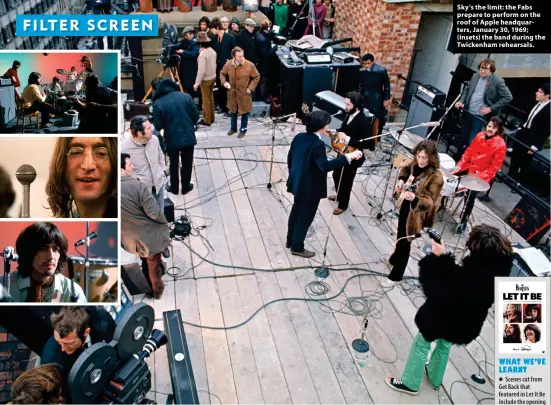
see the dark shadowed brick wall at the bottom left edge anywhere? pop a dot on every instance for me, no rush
(14, 358)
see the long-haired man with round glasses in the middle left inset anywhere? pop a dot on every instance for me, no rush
(83, 178)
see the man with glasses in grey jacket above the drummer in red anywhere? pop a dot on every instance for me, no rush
(483, 98)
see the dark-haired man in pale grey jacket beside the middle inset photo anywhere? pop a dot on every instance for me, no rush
(147, 157)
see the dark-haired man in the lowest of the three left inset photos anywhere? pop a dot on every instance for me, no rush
(42, 249)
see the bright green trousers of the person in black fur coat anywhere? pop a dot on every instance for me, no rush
(415, 367)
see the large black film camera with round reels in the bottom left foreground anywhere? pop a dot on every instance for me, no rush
(116, 372)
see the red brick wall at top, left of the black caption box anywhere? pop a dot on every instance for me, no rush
(387, 30)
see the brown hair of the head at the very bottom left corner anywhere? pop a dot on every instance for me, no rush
(40, 385)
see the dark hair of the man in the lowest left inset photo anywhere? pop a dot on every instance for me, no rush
(36, 237)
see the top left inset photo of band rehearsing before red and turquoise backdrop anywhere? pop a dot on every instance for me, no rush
(59, 92)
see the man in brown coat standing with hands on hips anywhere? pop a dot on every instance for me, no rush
(240, 77)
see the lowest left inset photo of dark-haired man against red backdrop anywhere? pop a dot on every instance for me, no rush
(59, 262)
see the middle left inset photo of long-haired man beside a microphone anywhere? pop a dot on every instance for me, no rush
(59, 177)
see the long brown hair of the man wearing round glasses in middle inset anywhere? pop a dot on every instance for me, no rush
(57, 188)
